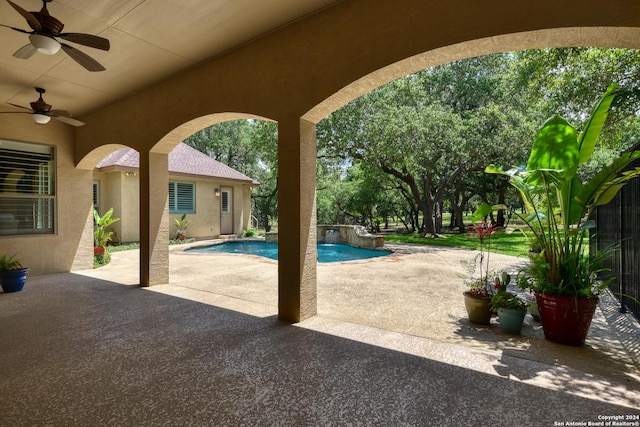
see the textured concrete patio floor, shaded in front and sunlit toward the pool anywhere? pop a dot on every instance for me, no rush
(390, 345)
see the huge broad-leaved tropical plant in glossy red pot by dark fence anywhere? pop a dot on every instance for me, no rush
(558, 213)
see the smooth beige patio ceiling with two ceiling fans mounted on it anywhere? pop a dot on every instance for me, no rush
(150, 41)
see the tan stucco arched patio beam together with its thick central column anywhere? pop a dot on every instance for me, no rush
(298, 74)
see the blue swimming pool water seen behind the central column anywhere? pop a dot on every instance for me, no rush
(327, 252)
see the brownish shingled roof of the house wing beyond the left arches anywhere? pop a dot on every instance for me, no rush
(183, 160)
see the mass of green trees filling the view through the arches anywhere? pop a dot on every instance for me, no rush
(418, 146)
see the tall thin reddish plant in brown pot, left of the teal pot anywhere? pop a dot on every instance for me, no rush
(477, 299)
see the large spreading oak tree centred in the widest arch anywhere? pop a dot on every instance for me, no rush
(431, 129)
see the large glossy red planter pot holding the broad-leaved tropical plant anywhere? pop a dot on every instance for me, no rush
(566, 320)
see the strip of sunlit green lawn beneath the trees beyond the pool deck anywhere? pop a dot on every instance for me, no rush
(515, 244)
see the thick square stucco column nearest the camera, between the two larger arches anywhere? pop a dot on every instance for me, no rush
(297, 253)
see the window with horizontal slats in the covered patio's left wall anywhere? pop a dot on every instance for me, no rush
(27, 188)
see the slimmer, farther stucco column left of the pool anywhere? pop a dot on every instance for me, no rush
(154, 218)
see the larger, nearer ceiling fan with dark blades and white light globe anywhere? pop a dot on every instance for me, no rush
(46, 29)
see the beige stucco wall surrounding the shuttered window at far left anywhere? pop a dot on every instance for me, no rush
(59, 252)
